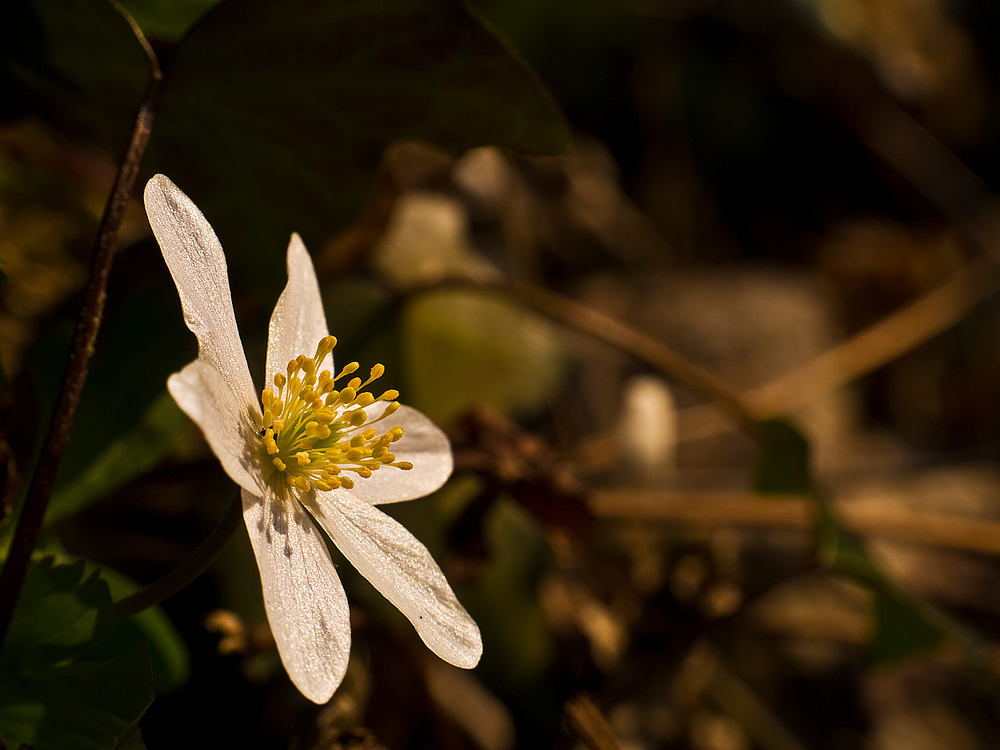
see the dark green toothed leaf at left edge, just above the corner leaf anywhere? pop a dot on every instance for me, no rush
(61, 612)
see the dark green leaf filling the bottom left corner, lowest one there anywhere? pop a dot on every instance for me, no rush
(78, 706)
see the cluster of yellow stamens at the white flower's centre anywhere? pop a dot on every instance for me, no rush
(313, 433)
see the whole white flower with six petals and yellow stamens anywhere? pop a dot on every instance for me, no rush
(295, 455)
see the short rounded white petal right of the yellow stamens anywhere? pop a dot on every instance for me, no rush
(423, 444)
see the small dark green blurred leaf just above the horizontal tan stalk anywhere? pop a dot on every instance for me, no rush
(782, 459)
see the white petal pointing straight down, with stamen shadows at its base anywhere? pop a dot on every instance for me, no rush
(305, 601)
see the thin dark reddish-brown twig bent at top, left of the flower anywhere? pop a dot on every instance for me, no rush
(29, 523)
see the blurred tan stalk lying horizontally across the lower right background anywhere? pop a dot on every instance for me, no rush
(797, 512)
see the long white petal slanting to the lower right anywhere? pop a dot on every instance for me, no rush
(402, 569)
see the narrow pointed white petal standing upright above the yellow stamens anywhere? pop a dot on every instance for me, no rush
(298, 321)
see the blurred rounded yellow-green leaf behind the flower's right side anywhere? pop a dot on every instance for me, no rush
(463, 349)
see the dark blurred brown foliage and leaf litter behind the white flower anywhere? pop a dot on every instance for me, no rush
(759, 186)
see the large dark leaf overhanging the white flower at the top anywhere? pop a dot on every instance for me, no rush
(276, 114)
